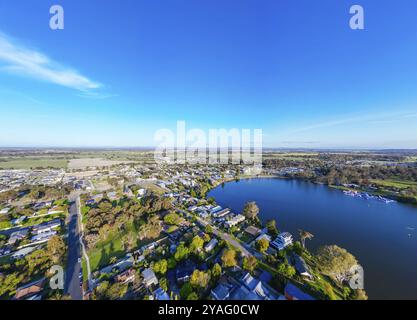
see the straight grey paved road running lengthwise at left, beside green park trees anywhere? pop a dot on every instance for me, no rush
(72, 281)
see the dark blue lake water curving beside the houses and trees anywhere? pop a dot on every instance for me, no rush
(383, 237)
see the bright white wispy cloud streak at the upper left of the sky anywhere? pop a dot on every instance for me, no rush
(18, 59)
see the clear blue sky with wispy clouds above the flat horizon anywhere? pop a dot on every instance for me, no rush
(120, 70)
